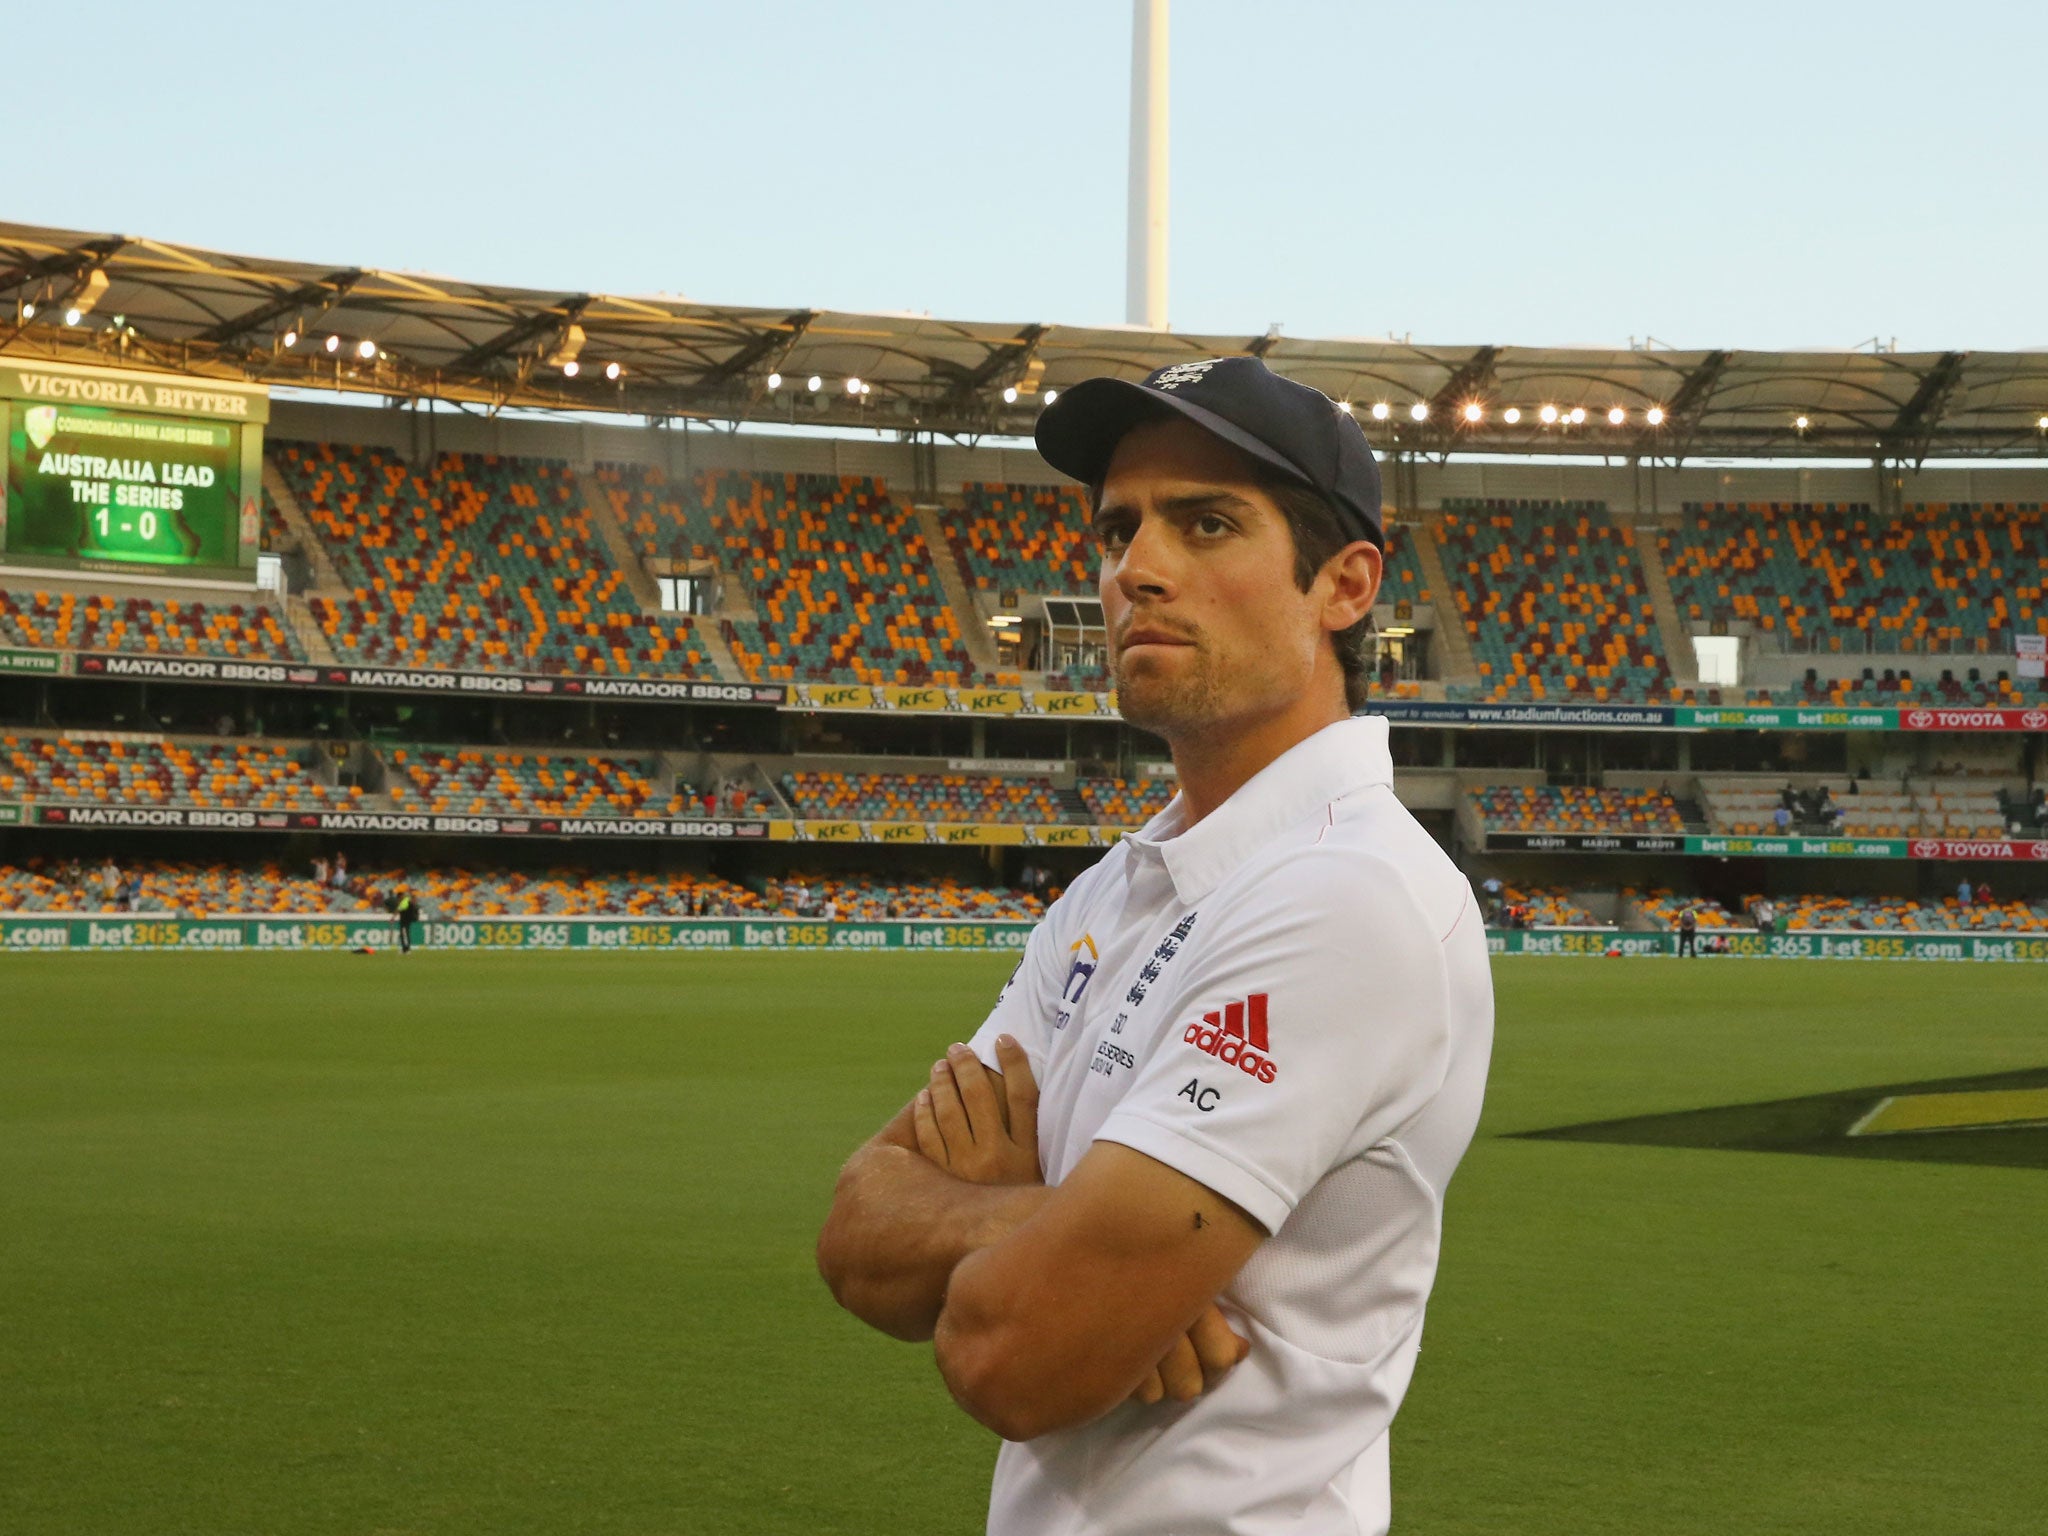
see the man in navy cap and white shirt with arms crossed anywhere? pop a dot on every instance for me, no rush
(1172, 1218)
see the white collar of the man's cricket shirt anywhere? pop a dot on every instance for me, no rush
(1322, 769)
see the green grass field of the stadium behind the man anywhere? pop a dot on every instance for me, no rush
(523, 1244)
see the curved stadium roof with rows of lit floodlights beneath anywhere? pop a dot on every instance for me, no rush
(159, 306)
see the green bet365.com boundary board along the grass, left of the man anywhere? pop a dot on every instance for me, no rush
(374, 933)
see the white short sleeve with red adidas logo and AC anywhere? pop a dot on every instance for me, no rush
(1312, 1023)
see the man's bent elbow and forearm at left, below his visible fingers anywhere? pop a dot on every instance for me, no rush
(898, 1230)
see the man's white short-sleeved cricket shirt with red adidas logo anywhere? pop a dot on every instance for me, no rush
(1291, 1005)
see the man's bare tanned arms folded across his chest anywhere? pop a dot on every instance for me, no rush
(1048, 1308)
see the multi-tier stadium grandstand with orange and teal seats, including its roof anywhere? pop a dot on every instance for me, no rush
(538, 599)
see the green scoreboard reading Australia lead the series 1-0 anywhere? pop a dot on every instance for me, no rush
(126, 472)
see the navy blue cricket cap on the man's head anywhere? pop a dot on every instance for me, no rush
(1285, 425)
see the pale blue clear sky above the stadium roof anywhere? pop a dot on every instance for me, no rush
(1715, 175)
